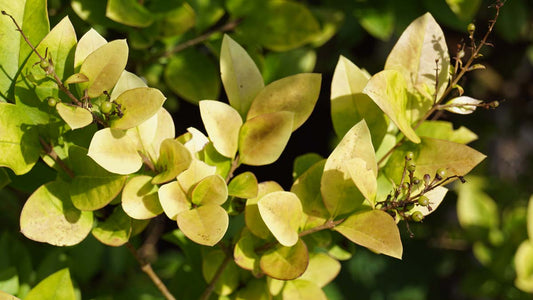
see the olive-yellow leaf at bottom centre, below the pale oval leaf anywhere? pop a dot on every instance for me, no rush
(285, 263)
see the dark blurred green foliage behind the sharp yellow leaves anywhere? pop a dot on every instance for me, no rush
(465, 251)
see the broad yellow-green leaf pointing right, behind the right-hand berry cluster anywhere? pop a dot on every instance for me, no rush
(431, 155)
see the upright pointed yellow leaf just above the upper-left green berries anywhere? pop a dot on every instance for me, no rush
(104, 66)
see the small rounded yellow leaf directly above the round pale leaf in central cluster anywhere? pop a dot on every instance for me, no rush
(210, 190)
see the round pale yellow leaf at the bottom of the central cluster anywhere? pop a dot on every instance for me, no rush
(205, 225)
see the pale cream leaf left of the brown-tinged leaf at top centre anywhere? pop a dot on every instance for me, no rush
(222, 123)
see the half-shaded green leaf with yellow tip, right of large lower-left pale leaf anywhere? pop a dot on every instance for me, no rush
(115, 230)
